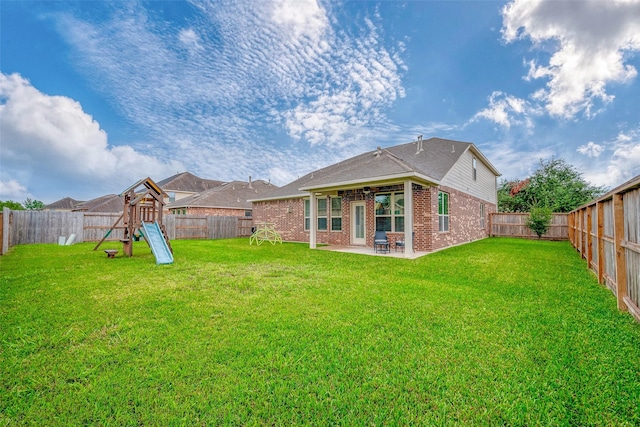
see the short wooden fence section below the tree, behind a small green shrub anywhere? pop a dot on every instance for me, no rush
(515, 225)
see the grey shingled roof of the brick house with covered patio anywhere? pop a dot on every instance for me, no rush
(423, 161)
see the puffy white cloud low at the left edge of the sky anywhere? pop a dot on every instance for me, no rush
(51, 140)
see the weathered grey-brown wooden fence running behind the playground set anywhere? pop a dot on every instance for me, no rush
(25, 227)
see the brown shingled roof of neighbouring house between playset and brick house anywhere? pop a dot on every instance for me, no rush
(230, 195)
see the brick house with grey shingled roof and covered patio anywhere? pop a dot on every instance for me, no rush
(435, 193)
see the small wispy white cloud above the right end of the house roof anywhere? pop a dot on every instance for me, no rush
(507, 110)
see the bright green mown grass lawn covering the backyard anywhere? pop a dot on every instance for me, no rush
(497, 332)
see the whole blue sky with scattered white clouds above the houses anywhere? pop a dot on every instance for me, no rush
(96, 95)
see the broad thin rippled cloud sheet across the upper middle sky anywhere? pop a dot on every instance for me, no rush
(285, 60)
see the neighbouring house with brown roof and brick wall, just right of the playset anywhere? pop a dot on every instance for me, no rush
(229, 199)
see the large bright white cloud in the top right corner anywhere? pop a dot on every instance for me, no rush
(590, 43)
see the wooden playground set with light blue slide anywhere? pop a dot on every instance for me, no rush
(142, 218)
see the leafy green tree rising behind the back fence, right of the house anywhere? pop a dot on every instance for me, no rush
(555, 184)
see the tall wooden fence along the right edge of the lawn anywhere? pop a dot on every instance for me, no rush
(606, 232)
